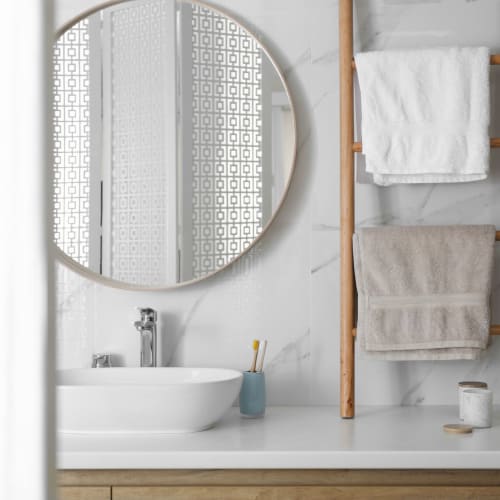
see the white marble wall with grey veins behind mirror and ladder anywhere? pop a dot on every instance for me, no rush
(287, 289)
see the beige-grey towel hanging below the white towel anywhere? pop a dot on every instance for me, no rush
(423, 292)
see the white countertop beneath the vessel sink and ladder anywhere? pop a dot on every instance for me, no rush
(298, 438)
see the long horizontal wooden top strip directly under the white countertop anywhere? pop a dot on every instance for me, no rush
(278, 477)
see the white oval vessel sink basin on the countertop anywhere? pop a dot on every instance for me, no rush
(144, 399)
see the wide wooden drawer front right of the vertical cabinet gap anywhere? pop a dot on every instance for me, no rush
(302, 492)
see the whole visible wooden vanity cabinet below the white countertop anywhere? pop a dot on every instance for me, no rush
(277, 484)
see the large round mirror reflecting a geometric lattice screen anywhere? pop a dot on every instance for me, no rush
(174, 142)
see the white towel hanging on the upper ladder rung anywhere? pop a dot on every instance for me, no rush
(425, 114)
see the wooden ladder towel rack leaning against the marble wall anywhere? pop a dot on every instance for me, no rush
(348, 147)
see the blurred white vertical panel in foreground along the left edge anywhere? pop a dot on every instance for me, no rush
(26, 419)
